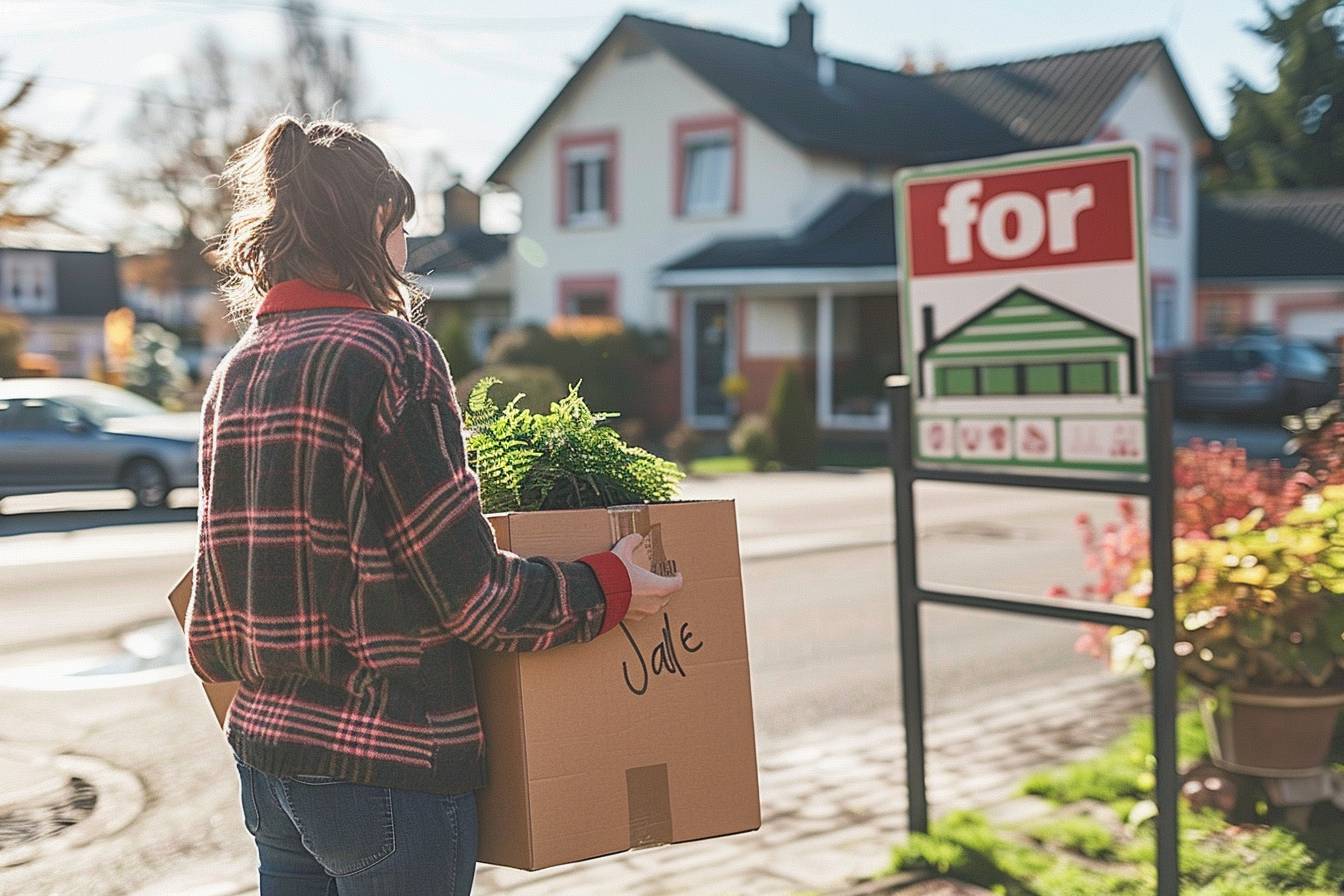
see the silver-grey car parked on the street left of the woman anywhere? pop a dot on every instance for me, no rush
(69, 436)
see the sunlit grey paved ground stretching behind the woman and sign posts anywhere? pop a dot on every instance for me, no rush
(822, 628)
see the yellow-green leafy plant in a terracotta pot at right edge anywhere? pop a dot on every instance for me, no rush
(1261, 633)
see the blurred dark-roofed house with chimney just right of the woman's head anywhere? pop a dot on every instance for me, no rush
(464, 271)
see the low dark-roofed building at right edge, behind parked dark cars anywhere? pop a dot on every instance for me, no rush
(1272, 260)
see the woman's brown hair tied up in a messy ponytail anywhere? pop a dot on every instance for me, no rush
(307, 201)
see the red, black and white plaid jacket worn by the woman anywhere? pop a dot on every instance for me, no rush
(345, 566)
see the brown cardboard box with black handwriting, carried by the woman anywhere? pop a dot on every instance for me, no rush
(640, 738)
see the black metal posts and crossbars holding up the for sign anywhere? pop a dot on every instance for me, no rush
(1158, 620)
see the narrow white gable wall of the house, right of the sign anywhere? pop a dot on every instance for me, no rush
(1155, 112)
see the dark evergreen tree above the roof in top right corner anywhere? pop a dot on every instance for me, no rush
(1292, 135)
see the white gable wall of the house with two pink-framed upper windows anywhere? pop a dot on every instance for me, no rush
(642, 99)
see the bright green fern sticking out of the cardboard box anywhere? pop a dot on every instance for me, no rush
(562, 460)
